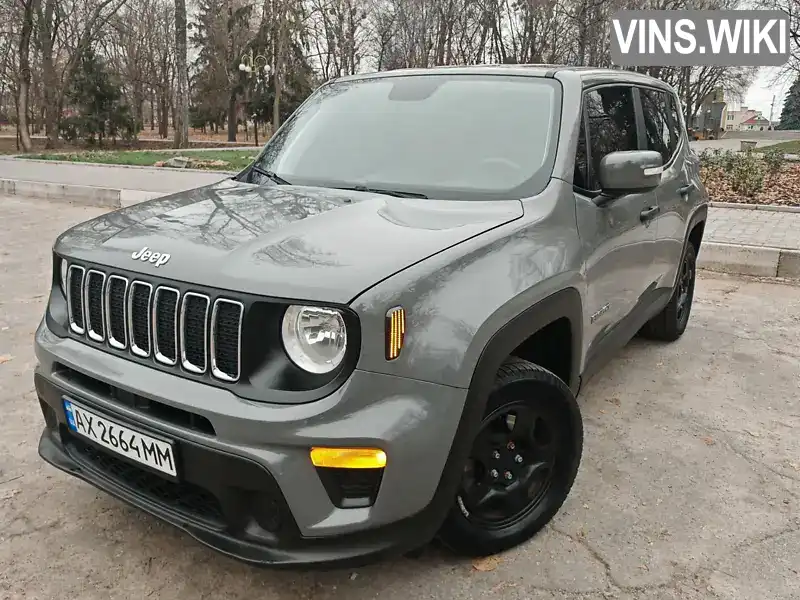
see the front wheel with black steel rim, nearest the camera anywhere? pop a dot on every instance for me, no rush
(531, 394)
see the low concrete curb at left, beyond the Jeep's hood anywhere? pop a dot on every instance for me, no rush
(85, 195)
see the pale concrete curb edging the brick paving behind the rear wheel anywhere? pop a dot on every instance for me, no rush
(761, 261)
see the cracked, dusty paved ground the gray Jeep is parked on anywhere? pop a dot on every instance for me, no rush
(689, 488)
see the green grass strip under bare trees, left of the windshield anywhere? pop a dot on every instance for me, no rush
(235, 160)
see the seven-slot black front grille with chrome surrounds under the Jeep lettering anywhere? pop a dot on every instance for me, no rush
(157, 322)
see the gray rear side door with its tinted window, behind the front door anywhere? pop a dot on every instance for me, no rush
(664, 133)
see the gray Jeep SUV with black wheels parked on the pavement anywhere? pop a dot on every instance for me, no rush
(374, 335)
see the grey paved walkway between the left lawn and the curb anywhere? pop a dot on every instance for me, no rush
(149, 180)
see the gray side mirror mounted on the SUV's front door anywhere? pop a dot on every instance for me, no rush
(629, 172)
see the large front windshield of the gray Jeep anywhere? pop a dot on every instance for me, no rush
(444, 136)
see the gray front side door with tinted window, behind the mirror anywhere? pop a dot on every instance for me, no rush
(618, 237)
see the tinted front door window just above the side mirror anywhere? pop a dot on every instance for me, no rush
(612, 125)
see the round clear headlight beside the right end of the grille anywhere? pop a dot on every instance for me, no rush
(315, 337)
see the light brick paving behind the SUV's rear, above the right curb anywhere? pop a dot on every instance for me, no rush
(753, 227)
